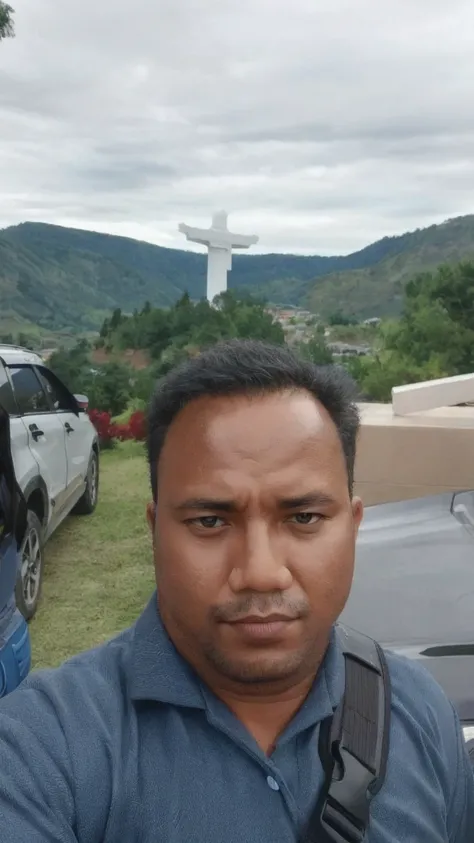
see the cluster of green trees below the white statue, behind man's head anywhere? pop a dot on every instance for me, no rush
(168, 336)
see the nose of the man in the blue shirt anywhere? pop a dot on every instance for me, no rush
(261, 565)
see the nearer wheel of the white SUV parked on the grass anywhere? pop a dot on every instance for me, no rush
(30, 578)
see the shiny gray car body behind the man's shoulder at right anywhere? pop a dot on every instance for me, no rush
(413, 588)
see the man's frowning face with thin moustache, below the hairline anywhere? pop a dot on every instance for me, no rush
(254, 535)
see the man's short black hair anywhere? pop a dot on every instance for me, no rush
(239, 367)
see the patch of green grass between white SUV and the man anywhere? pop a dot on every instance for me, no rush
(99, 568)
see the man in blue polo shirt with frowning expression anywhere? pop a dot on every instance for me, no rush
(201, 723)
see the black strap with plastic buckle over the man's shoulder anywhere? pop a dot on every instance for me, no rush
(353, 745)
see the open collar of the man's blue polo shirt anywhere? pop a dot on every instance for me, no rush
(158, 672)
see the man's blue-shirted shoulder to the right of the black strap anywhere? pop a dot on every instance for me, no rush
(428, 774)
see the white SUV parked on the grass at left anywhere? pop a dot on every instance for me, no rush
(55, 453)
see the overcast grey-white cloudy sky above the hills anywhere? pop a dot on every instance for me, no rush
(321, 125)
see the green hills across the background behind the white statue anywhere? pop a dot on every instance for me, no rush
(60, 277)
